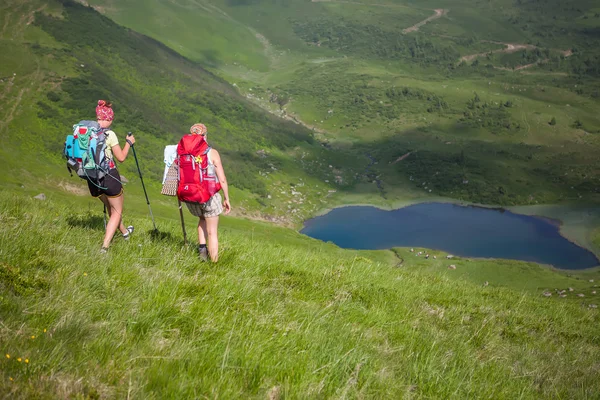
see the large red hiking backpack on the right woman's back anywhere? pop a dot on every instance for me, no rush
(198, 181)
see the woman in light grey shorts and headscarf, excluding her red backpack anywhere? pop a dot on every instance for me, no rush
(208, 213)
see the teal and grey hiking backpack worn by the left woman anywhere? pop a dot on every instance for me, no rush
(85, 152)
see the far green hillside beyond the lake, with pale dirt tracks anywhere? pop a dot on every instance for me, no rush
(499, 94)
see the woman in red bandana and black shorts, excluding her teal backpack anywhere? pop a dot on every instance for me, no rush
(110, 189)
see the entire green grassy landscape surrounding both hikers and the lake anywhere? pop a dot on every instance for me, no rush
(282, 315)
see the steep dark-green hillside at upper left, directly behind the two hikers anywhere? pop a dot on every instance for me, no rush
(57, 67)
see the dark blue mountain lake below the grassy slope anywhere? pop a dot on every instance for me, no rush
(459, 230)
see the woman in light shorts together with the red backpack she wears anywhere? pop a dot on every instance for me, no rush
(201, 177)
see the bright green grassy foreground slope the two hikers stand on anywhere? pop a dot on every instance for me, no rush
(279, 315)
